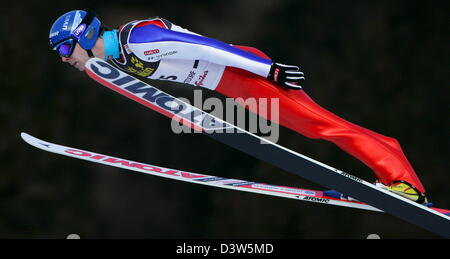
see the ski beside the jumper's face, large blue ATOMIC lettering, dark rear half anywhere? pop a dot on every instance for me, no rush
(267, 151)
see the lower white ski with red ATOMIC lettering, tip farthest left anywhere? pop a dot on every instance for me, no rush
(323, 197)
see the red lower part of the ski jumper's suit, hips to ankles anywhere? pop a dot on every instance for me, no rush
(300, 113)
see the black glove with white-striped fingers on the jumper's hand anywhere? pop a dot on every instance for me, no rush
(286, 75)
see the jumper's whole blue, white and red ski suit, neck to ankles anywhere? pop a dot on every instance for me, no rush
(158, 49)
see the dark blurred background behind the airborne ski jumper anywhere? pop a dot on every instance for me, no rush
(383, 65)
